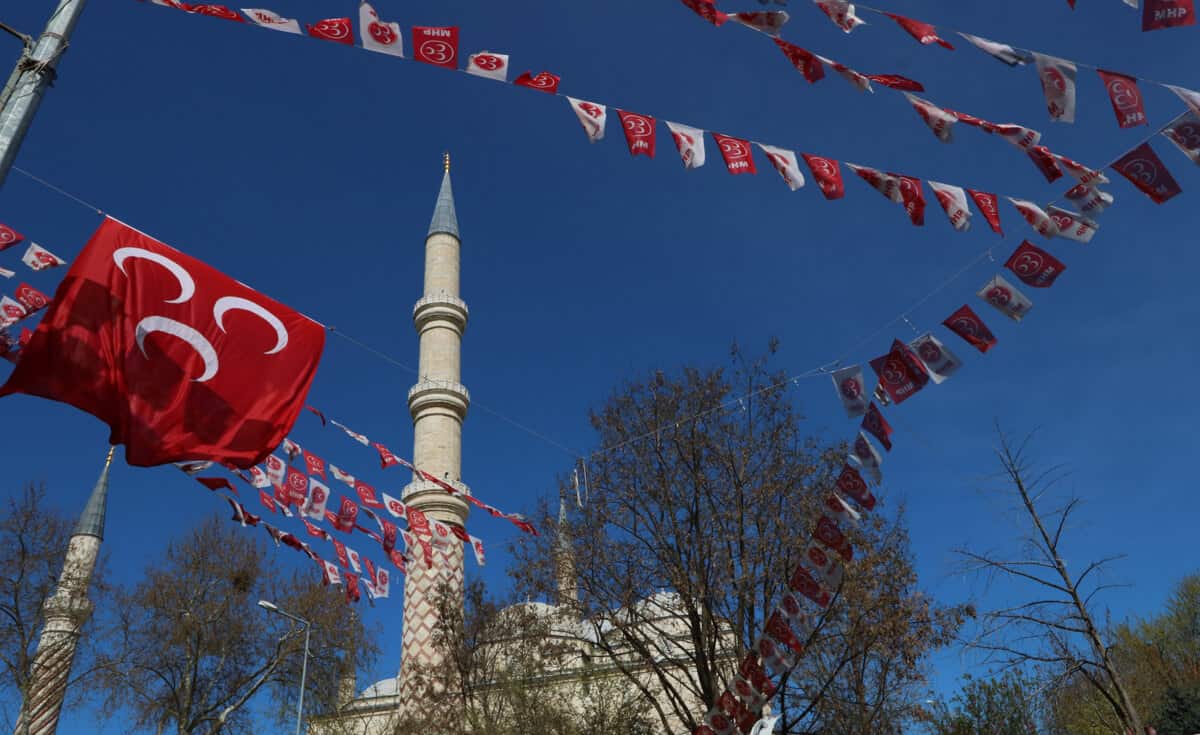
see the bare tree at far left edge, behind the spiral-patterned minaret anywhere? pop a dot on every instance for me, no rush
(33, 546)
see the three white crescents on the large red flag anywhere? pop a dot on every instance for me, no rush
(200, 344)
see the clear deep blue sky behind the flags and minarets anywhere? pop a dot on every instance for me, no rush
(310, 172)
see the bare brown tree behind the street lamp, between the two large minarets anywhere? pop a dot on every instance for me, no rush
(190, 649)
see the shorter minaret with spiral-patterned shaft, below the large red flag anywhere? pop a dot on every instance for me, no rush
(65, 612)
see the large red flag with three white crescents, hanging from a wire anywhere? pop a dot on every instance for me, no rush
(179, 360)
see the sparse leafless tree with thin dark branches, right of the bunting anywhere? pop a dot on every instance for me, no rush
(1057, 630)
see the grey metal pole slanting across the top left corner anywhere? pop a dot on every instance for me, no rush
(34, 74)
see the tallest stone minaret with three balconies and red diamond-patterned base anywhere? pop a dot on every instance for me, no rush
(439, 404)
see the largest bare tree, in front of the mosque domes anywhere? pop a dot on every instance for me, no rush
(704, 495)
